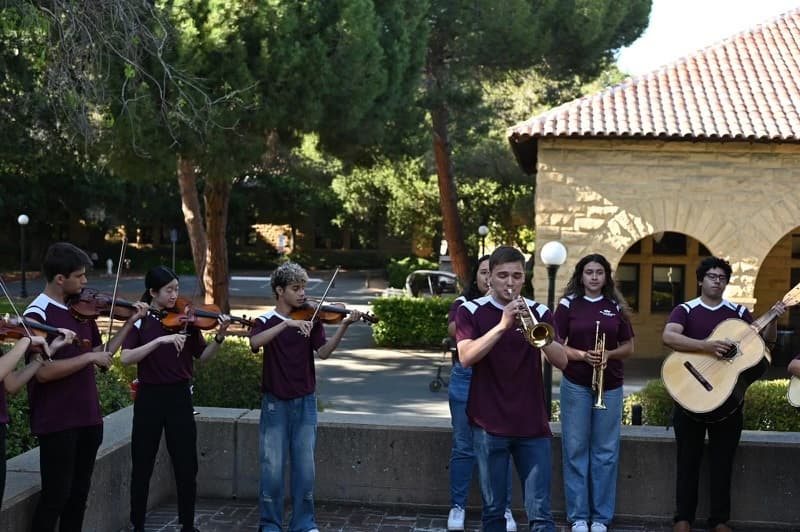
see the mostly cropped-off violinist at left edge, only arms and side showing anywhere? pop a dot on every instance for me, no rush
(12, 381)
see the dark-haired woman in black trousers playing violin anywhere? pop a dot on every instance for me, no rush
(163, 401)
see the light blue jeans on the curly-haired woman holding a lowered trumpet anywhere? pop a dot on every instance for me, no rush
(590, 452)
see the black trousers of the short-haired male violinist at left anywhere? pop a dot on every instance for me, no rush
(66, 460)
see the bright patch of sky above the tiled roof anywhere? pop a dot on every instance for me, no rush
(680, 27)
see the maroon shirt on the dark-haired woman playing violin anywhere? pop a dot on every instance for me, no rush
(164, 365)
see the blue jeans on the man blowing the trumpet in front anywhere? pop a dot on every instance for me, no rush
(532, 459)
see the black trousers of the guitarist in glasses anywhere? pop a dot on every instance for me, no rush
(723, 439)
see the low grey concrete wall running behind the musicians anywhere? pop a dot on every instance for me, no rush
(405, 460)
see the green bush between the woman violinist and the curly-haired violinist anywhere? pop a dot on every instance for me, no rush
(232, 379)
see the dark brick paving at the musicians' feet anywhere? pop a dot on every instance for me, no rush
(213, 515)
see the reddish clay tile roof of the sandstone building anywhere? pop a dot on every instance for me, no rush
(746, 87)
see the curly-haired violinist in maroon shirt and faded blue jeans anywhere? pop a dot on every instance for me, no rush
(288, 424)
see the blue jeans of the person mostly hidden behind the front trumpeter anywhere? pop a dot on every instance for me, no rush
(462, 457)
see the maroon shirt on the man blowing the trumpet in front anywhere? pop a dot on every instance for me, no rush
(506, 395)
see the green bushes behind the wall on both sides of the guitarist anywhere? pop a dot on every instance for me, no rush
(765, 406)
